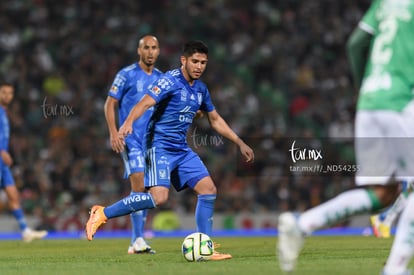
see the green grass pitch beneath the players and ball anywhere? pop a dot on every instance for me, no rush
(251, 255)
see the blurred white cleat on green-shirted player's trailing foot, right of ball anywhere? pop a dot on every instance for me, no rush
(290, 241)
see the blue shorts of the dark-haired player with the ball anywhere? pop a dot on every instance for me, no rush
(182, 168)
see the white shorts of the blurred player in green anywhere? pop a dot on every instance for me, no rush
(384, 145)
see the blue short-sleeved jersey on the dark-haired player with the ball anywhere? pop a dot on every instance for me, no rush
(177, 104)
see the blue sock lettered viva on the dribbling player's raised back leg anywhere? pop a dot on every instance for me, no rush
(132, 203)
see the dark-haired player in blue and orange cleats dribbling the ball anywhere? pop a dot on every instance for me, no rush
(176, 97)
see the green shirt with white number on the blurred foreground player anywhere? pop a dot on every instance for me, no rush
(388, 80)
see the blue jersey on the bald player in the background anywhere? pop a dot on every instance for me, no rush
(128, 88)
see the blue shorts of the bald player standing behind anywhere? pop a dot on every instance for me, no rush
(133, 157)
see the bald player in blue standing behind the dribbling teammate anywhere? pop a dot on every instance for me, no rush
(127, 89)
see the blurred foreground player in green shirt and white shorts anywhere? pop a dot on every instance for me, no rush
(381, 54)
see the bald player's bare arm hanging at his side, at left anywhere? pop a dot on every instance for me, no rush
(109, 108)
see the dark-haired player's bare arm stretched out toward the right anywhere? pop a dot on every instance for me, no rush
(221, 126)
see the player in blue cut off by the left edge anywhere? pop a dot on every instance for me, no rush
(6, 178)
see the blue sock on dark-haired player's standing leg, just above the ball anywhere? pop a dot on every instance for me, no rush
(204, 213)
